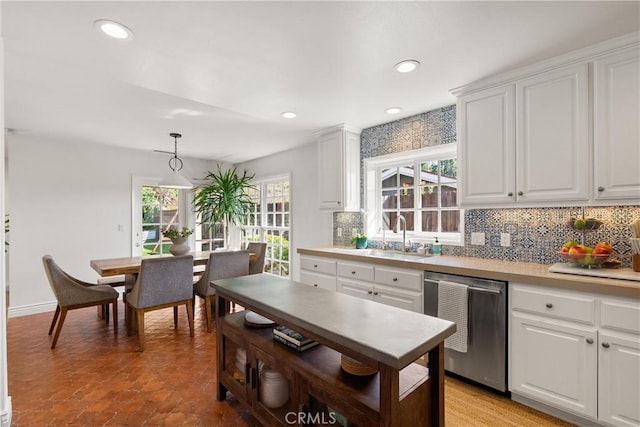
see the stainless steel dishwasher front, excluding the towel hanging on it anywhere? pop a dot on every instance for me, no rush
(485, 359)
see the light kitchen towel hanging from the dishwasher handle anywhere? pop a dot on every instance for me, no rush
(453, 306)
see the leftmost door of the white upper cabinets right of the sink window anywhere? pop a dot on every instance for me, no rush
(486, 147)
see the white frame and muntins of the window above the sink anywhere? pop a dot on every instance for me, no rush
(373, 194)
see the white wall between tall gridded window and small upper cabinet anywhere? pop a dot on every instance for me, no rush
(310, 227)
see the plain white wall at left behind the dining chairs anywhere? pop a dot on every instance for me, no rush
(68, 199)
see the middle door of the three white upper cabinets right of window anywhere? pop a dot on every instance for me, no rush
(552, 136)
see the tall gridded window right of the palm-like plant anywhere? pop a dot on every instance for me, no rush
(270, 221)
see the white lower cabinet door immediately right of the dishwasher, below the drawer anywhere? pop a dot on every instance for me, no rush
(555, 364)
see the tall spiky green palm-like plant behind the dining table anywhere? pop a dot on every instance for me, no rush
(224, 199)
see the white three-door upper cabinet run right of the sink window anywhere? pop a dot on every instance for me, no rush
(562, 132)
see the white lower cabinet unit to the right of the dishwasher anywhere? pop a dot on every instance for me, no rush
(577, 352)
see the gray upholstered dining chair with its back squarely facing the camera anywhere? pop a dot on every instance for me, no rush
(162, 282)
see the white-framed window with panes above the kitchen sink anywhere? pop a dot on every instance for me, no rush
(420, 185)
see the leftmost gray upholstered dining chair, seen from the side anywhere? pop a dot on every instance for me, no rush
(72, 293)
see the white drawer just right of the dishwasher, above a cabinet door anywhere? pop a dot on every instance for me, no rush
(560, 305)
